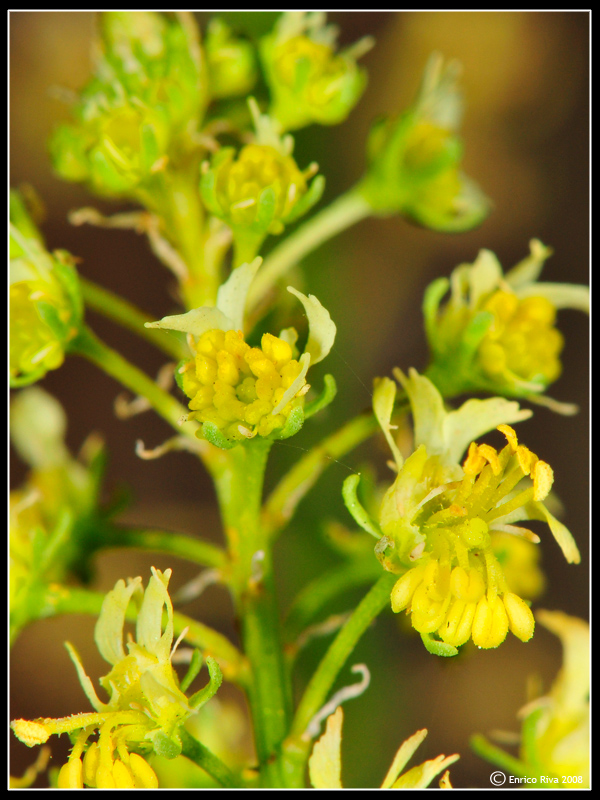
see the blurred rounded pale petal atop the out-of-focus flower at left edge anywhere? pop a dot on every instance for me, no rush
(38, 425)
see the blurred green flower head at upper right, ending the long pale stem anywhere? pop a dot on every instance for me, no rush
(415, 159)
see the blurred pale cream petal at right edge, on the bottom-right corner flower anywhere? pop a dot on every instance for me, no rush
(571, 688)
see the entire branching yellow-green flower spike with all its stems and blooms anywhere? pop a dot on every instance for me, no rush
(184, 129)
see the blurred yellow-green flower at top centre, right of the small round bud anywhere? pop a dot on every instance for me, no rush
(308, 81)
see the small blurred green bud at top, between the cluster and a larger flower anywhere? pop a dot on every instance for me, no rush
(231, 62)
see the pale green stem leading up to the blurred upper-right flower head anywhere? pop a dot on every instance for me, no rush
(345, 211)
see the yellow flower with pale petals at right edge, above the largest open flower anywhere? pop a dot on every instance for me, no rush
(496, 333)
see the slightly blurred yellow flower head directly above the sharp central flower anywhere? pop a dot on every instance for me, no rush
(260, 190)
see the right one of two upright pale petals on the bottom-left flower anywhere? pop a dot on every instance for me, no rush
(149, 622)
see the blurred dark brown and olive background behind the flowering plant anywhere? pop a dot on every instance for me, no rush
(526, 135)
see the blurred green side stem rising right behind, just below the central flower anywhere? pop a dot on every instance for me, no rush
(284, 499)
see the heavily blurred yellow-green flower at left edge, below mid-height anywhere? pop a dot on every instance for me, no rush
(53, 516)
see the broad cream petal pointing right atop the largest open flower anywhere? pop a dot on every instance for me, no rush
(476, 417)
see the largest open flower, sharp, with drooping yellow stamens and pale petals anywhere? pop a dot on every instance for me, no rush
(438, 518)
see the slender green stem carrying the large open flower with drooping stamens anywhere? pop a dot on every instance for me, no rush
(297, 746)
